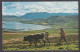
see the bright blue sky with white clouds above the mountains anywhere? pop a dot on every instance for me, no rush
(21, 8)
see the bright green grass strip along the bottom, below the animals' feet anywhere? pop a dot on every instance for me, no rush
(53, 46)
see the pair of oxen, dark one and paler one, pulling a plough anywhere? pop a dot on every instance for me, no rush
(35, 38)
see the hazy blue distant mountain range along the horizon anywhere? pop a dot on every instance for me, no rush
(38, 15)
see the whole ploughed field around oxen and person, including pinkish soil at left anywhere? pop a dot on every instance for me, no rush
(15, 43)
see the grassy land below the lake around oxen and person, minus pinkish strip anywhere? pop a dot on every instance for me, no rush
(20, 45)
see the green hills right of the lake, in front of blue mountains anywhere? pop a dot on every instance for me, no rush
(57, 21)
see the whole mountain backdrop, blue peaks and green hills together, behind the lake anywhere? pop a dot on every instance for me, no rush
(53, 19)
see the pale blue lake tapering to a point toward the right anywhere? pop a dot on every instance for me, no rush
(13, 25)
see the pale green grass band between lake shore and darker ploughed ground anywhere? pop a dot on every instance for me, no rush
(52, 32)
